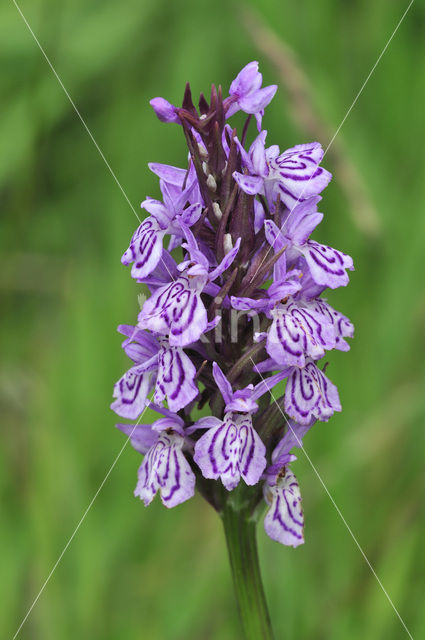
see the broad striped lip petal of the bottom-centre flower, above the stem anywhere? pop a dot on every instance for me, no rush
(231, 450)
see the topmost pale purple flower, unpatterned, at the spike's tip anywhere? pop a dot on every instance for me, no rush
(247, 95)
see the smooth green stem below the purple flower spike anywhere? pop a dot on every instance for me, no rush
(241, 541)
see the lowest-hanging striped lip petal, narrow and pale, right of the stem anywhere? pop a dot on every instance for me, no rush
(284, 521)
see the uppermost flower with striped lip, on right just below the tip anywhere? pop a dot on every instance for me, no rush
(293, 175)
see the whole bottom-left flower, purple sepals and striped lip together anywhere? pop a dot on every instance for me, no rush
(164, 467)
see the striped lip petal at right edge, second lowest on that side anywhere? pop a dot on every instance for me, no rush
(310, 394)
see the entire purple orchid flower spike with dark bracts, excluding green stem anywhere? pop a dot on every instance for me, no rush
(235, 309)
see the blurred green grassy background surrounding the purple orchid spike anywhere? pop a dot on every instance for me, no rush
(132, 572)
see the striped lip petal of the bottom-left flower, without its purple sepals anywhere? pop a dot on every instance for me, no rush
(165, 469)
